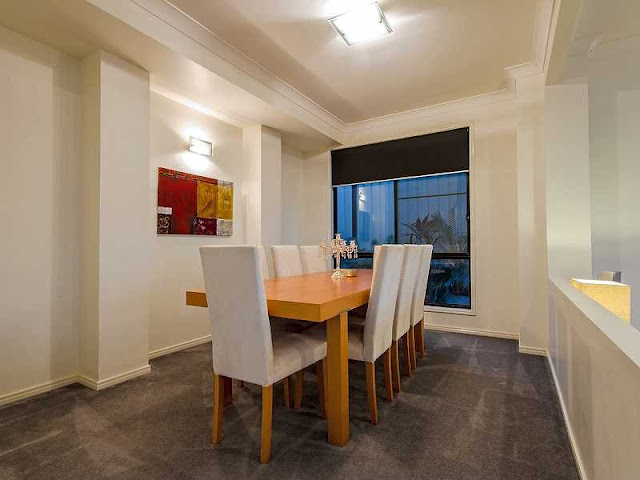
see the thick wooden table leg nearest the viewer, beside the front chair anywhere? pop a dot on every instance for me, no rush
(338, 380)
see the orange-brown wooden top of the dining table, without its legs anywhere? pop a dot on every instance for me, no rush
(314, 297)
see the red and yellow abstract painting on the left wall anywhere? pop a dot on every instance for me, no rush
(193, 205)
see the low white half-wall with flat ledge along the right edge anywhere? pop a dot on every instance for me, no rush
(595, 360)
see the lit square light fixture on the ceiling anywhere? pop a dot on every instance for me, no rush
(361, 25)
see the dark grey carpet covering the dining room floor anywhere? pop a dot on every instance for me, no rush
(475, 409)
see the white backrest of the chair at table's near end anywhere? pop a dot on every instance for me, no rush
(240, 331)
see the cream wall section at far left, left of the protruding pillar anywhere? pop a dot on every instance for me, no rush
(39, 198)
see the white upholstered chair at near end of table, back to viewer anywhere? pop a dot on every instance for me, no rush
(244, 347)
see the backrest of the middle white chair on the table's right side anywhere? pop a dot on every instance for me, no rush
(411, 264)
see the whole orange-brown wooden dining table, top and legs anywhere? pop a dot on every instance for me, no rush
(316, 297)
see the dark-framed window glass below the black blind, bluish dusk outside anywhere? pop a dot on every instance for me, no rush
(432, 209)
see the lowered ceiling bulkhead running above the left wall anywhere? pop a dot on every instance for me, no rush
(78, 28)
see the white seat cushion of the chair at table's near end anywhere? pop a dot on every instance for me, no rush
(294, 351)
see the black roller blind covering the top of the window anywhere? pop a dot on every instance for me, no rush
(434, 153)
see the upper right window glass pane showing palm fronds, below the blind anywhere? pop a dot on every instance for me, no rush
(433, 210)
